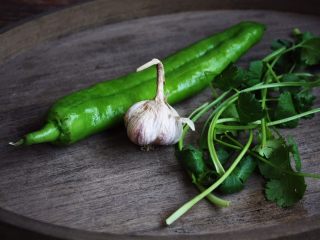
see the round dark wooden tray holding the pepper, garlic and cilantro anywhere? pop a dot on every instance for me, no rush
(104, 187)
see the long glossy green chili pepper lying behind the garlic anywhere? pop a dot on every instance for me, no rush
(99, 107)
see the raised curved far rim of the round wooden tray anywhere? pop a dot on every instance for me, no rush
(100, 12)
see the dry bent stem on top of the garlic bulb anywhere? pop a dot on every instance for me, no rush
(160, 77)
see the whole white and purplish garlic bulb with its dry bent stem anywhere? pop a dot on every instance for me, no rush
(155, 122)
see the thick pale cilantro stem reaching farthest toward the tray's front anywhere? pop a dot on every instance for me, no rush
(187, 206)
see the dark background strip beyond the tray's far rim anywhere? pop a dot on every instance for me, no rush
(13, 12)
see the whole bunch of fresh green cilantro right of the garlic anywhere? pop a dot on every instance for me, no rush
(273, 92)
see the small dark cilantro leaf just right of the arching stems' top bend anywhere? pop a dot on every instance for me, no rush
(249, 108)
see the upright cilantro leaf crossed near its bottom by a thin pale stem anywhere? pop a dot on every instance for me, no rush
(284, 109)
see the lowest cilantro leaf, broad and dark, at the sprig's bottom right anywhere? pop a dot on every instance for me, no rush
(285, 191)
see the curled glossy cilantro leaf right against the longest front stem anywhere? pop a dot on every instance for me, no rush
(236, 180)
